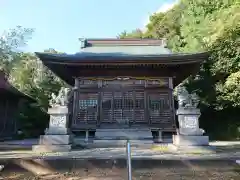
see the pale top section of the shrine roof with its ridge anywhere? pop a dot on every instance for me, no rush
(118, 47)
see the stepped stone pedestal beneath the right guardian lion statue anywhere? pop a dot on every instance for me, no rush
(189, 136)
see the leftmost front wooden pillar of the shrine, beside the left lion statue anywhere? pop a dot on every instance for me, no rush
(75, 101)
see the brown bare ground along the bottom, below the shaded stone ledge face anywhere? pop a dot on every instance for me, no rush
(186, 171)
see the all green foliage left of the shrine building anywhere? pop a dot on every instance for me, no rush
(28, 74)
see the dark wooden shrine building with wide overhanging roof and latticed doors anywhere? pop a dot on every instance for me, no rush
(123, 83)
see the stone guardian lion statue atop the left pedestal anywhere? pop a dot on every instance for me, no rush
(61, 99)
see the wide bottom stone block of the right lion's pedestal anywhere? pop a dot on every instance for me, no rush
(181, 140)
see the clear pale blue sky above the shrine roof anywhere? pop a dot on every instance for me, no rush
(58, 24)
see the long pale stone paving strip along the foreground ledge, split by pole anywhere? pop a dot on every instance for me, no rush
(104, 153)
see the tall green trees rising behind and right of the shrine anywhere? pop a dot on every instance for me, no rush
(214, 26)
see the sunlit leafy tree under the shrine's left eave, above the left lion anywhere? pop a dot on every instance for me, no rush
(30, 76)
